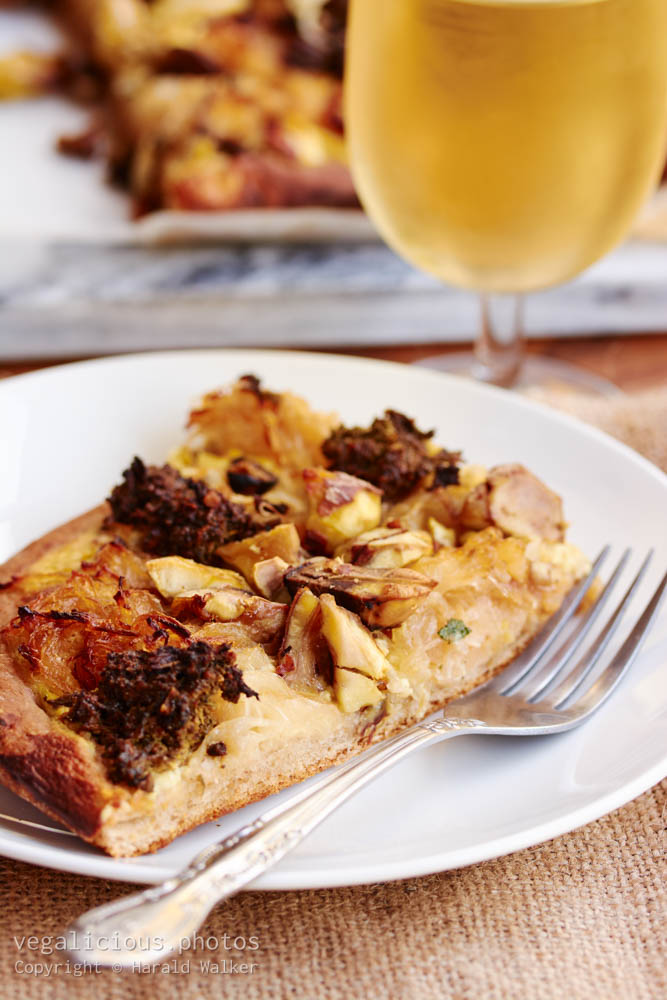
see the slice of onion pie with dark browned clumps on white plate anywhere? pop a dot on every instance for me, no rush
(283, 592)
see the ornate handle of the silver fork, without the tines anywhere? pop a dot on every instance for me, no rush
(146, 926)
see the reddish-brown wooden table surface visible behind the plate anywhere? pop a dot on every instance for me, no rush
(634, 363)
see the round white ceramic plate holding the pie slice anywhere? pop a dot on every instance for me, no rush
(67, 434)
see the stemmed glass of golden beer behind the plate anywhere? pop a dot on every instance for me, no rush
(505, 145)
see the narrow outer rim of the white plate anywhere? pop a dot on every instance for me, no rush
(313, 877)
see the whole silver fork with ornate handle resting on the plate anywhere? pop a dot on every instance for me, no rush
(542, 691)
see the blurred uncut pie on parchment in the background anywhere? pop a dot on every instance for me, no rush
(205, 104)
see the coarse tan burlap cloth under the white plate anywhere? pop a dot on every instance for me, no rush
(583, 916)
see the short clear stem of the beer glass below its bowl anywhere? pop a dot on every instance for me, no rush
(498, 349)
